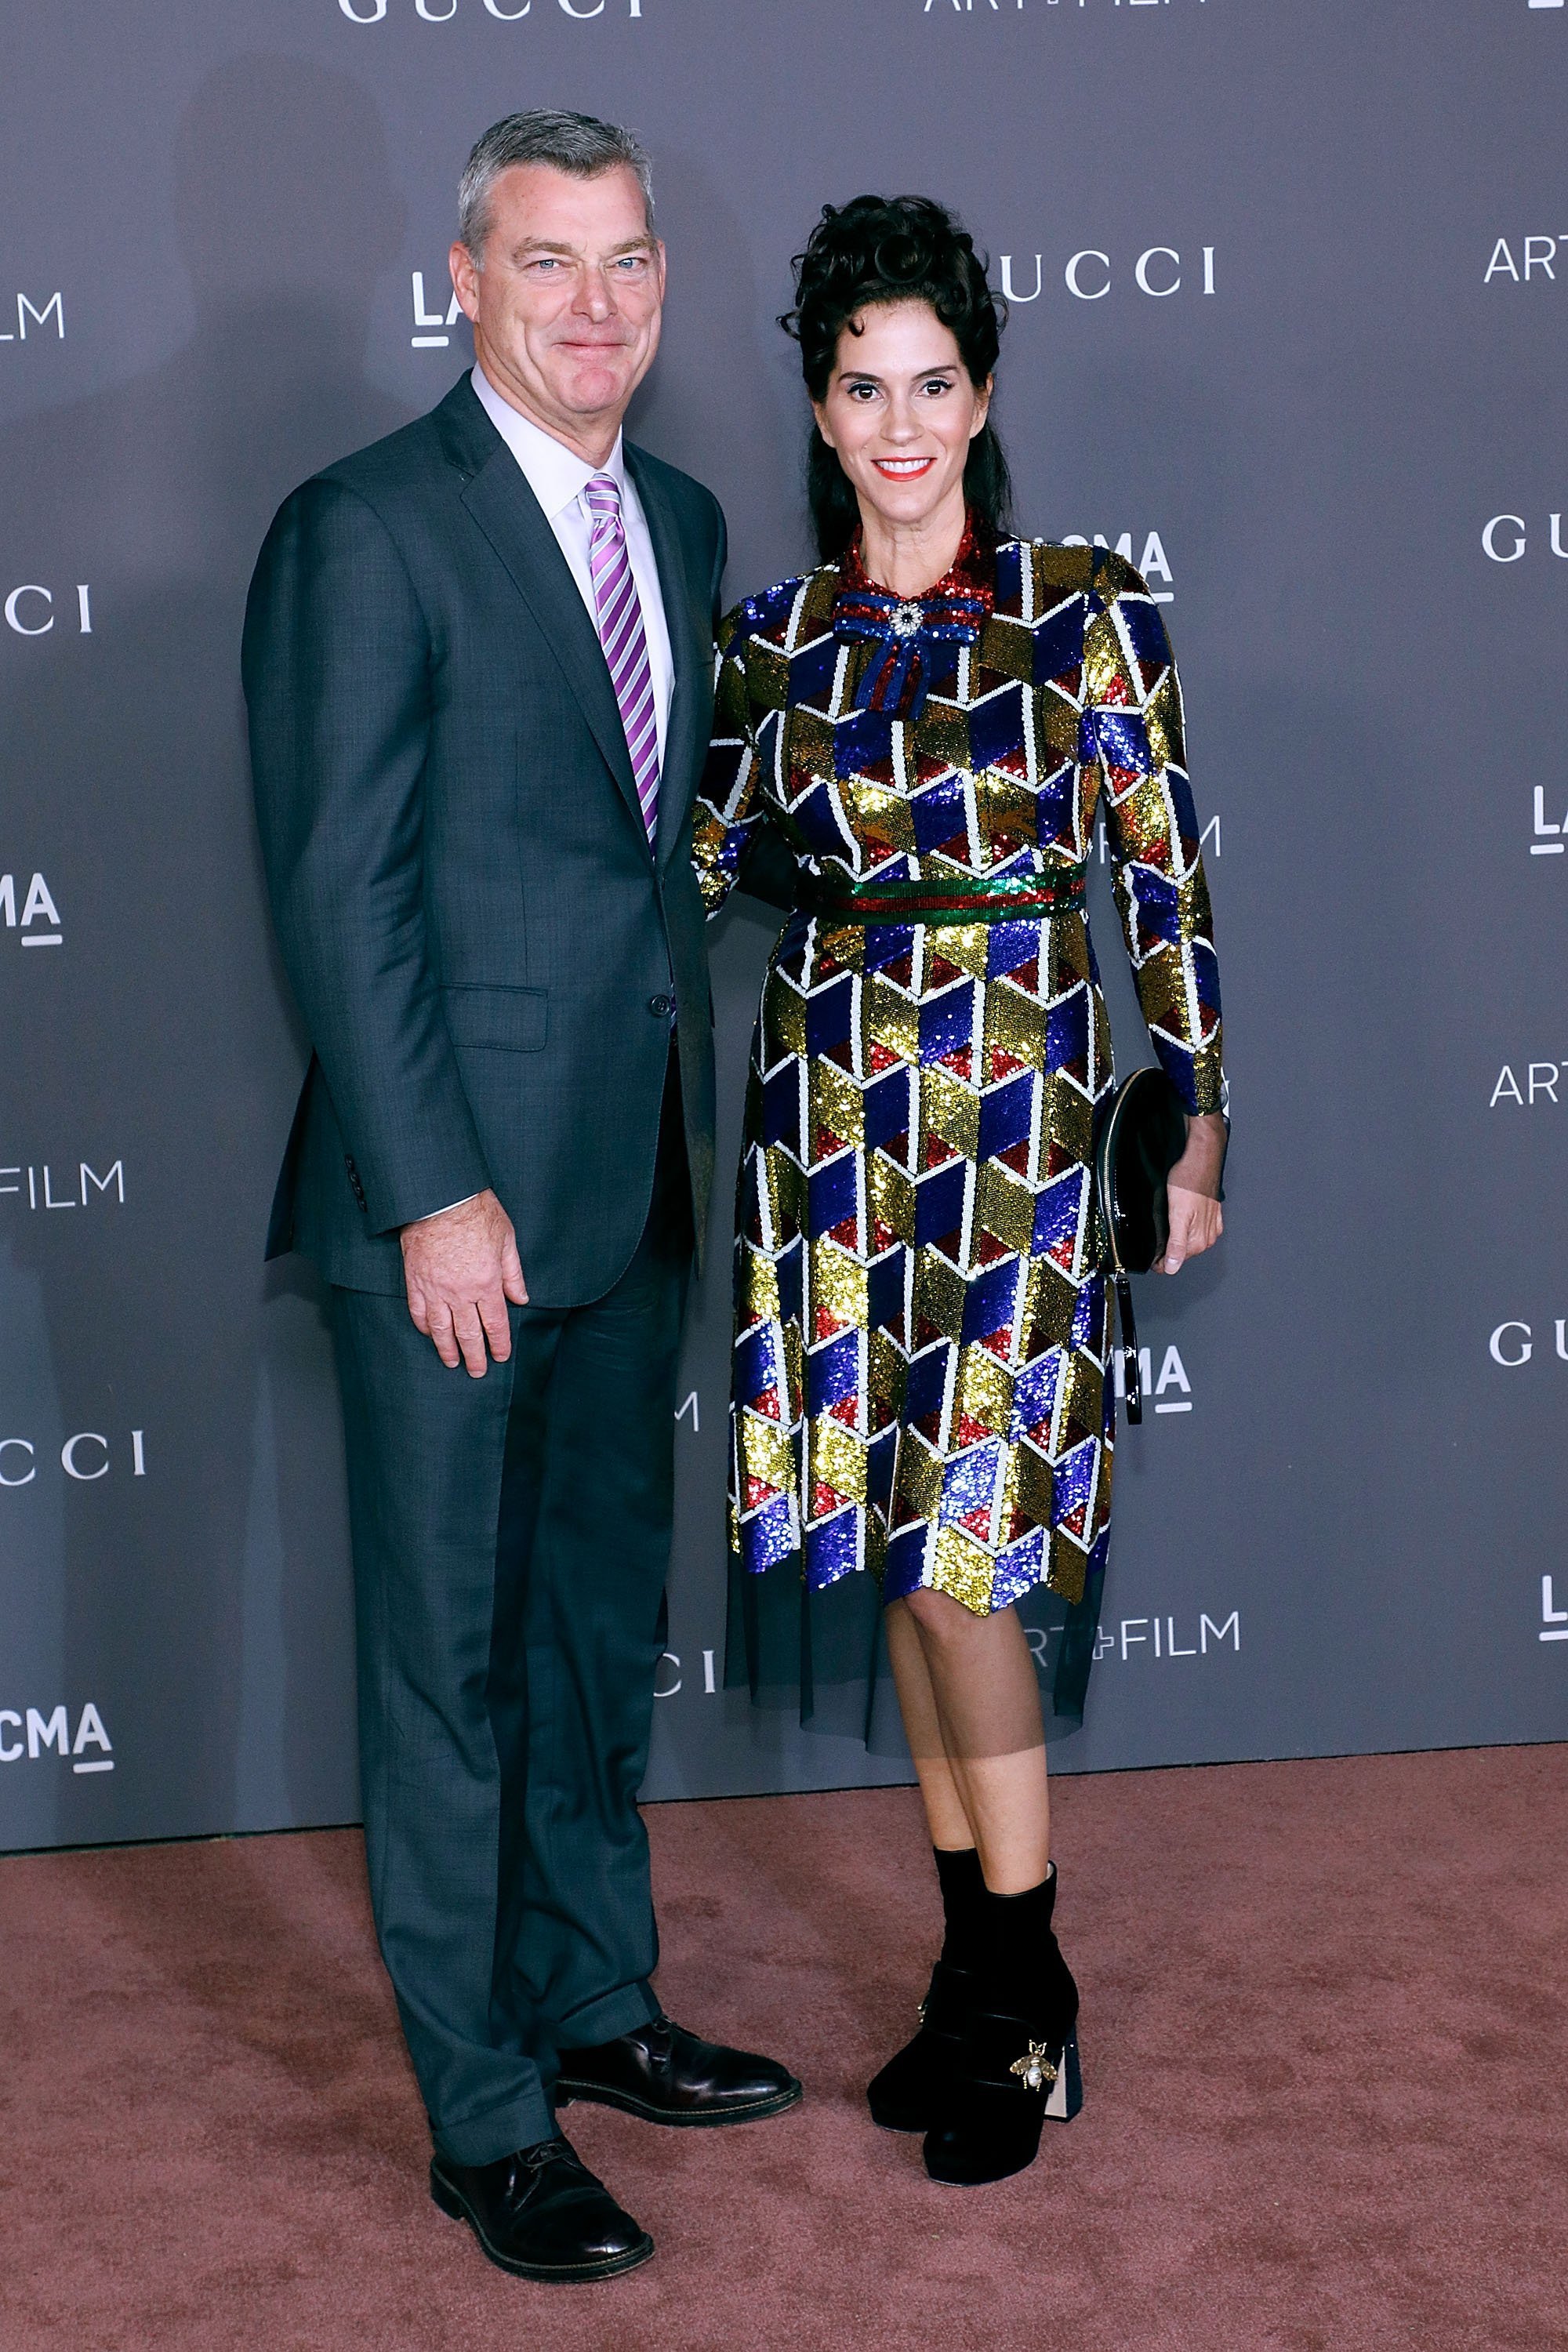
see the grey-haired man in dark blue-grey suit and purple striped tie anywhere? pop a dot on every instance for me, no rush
(478, 679)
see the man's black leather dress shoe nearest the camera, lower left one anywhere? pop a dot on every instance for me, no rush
(542, 2214)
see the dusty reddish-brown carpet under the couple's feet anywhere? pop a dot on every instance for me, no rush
(1325, 2047)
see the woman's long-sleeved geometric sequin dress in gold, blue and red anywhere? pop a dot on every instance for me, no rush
(923, 1325)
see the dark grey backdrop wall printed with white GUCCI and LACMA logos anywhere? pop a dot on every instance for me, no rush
(1292, 283)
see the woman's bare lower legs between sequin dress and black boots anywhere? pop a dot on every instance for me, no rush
(972, 1716)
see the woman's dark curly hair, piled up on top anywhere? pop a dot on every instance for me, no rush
(887, 250)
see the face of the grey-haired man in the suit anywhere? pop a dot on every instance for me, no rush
(565, 300)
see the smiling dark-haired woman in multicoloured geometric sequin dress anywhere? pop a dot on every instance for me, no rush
(925, 730)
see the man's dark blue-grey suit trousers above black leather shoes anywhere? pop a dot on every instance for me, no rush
(511, 1546)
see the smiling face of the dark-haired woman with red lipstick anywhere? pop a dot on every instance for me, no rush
(902, 413)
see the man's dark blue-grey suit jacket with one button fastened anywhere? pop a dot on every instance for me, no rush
(481, 942)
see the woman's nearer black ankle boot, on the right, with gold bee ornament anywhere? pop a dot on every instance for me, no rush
(1019, 2054)
